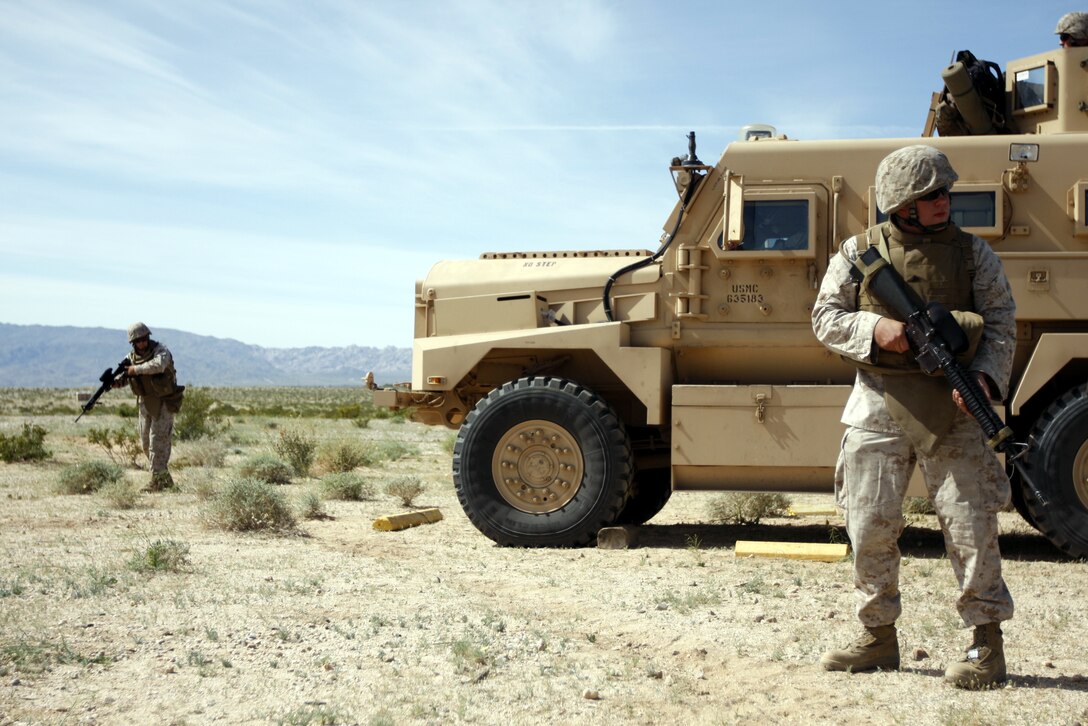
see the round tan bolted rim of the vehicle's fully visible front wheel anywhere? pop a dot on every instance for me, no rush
(538, 467)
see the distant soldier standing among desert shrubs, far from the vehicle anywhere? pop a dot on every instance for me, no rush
(154, 380)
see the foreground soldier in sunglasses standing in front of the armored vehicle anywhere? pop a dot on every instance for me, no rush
(898, 417)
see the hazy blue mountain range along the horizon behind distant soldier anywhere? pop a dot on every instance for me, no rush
(63, 356)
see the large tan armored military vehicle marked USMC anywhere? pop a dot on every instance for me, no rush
(588, 386)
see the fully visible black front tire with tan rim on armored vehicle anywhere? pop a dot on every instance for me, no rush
(542, 462)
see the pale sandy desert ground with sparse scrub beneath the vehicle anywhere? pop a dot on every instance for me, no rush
(338, 623)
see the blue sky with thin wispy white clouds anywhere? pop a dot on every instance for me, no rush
(282, 173)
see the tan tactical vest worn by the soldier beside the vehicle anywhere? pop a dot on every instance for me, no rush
(939, 268)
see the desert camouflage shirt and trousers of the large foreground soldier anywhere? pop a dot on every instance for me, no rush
(963, 477)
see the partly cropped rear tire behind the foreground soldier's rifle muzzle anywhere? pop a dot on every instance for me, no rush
(1059, 467)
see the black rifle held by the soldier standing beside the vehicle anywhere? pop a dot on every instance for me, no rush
(936, 339)
